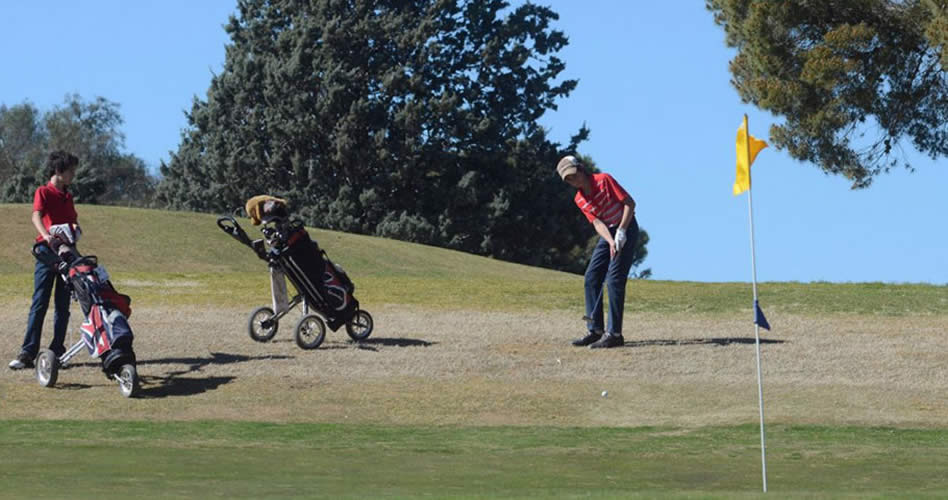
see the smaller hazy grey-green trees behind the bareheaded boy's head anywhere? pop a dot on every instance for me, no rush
(89, 130)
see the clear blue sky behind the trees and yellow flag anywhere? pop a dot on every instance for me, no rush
(653, 88)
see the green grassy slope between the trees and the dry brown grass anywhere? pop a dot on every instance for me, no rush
(182, 257)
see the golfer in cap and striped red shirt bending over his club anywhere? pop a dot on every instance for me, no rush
(611, 211)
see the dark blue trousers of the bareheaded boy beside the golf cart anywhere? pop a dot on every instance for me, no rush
(45, 277)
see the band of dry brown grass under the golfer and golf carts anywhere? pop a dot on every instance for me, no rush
(436, 367)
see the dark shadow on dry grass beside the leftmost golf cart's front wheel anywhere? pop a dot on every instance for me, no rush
(174, 384)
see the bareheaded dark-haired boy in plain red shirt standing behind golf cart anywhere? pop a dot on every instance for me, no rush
(52, 204)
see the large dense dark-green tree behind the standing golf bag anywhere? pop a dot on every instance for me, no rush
(410, 119)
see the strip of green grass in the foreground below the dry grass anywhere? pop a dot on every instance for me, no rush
(248, 460)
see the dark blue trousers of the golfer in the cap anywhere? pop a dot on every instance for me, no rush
(615, 273)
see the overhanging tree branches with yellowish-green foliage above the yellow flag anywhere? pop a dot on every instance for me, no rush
(853, 79)
